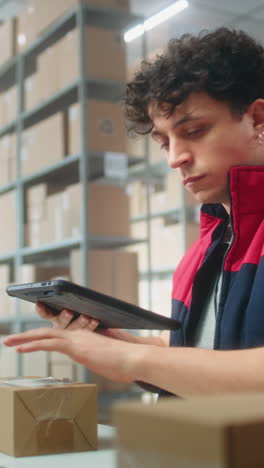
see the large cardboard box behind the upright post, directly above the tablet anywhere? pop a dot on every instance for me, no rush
(112, 272)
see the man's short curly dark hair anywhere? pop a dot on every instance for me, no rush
(227, 64)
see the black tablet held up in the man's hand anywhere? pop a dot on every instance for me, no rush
(111, 312)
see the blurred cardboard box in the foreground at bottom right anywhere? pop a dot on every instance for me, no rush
(223, 431)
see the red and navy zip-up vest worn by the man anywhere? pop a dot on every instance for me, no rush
(240, 314)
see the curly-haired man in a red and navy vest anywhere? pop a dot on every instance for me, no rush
(203, 101)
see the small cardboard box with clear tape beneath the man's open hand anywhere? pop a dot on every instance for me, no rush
(44, 419)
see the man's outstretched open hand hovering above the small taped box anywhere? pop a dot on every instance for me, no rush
(106, 356)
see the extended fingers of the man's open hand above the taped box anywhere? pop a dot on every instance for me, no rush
(34, 335)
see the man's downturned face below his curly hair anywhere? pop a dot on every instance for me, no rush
(203, 139)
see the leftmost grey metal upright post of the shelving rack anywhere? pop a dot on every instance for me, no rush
(17, 325)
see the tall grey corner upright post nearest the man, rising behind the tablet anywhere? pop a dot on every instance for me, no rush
(84, 163)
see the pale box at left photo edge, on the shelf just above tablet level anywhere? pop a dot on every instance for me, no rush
(8, 213)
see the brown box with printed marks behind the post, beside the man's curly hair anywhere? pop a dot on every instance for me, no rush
(106, 127)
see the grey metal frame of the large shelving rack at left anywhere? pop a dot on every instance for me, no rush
(85, 166)
